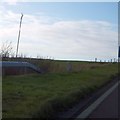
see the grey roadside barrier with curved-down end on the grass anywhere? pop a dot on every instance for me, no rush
(18, 68)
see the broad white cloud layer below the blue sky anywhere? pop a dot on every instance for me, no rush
(48, 36)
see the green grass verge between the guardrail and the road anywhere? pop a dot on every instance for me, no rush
(43, 95)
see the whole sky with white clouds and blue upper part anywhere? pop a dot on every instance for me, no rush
(74, 31)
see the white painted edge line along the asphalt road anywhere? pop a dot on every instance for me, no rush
(94, 105)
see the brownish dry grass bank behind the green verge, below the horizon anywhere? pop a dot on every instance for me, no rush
(59, 66)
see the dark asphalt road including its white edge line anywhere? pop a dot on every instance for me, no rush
(106, 106)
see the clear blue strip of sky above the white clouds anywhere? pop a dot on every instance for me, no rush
(107, 11)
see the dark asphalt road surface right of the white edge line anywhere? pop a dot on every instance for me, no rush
(109, 107)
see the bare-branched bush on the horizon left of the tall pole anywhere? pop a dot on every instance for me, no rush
(6, 49)
